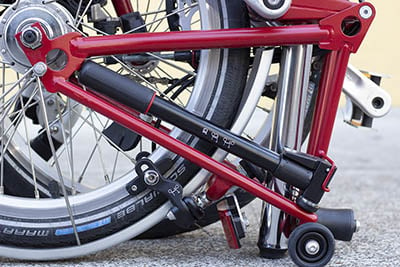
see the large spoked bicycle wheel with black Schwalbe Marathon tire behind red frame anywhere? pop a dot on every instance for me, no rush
(91, 209)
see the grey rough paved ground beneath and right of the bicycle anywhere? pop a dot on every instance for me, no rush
(368, 180)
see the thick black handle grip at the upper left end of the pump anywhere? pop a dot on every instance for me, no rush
(115, 86)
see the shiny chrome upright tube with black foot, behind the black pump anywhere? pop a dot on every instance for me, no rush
(287, 131)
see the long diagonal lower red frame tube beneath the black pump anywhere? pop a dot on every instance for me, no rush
(119, 115)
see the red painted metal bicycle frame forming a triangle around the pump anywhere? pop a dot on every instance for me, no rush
(328, 18)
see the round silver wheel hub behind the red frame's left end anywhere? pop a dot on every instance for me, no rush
(52, 16)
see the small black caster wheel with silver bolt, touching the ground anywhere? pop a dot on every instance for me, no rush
(311, 245)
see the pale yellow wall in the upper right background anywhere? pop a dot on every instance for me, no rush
(380, 51)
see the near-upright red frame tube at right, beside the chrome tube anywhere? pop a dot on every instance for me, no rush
(328, 100)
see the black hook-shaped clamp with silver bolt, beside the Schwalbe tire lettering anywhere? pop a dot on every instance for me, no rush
(184, 212)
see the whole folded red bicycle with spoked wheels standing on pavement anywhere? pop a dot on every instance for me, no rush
(127, 118)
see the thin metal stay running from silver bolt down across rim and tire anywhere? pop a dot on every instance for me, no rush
(58, 167)
